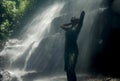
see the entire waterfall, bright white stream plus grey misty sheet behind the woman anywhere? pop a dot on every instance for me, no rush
(38, 53)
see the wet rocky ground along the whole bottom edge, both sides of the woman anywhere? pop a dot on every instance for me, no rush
(7, 77)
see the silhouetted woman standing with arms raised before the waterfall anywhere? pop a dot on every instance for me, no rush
(71, 49)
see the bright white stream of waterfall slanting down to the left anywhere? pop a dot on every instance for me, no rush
(31, 38)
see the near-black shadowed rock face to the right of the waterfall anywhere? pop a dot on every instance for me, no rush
(106, 58)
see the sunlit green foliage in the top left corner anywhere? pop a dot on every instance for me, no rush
(11, 12)
